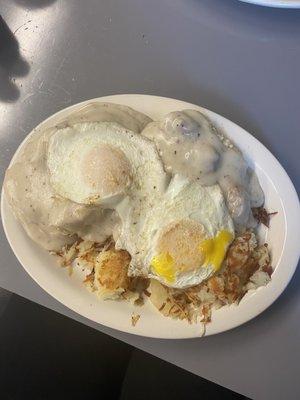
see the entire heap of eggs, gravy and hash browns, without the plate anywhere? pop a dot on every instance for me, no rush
(161, 211)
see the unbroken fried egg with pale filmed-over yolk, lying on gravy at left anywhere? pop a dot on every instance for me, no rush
(101, 163)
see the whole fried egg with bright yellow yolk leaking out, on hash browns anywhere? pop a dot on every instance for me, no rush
(182, 240)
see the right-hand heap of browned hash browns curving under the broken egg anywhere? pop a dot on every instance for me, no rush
(244, 268)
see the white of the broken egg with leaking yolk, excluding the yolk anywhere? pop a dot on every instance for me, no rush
(183, 200)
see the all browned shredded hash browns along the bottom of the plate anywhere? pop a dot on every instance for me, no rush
(246, 267)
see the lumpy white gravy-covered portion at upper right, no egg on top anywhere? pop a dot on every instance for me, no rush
(190, 145)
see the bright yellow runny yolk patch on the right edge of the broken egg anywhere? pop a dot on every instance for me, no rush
(215, 249)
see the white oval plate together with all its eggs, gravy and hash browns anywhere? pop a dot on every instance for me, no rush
(152, 216)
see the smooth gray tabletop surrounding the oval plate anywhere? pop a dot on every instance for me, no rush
(239, 60)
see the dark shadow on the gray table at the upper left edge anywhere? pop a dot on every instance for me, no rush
(12, 65)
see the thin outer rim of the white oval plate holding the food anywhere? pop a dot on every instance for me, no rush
(116, 98)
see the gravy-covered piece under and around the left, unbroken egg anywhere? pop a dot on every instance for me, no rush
(49, 219)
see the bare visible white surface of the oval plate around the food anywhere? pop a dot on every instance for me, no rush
(283, 238)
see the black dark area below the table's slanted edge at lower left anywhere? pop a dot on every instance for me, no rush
(45, 355)
